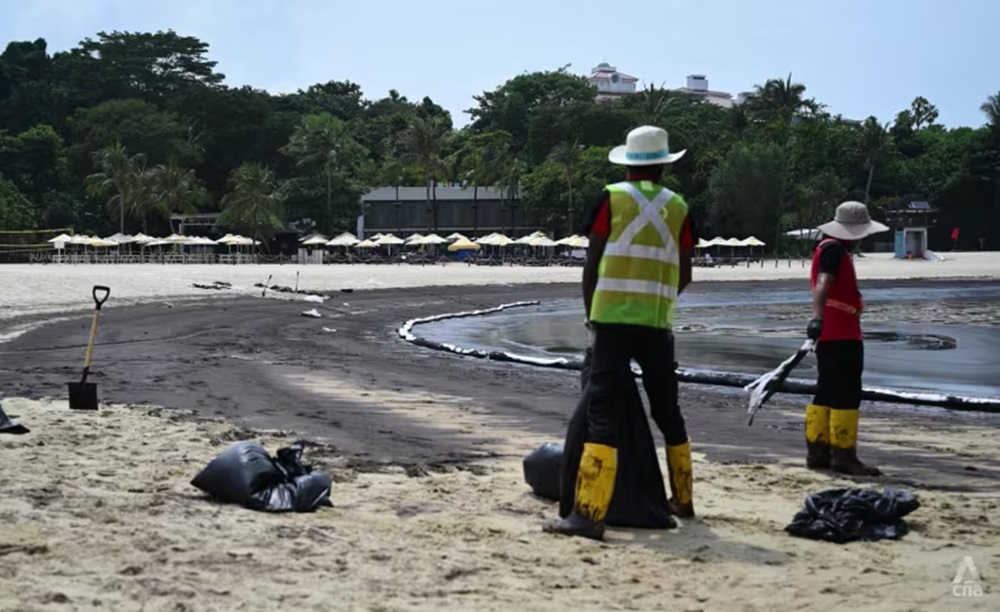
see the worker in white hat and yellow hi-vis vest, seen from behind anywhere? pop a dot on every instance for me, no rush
(638, 263)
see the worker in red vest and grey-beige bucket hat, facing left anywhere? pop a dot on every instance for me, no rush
(832, 417)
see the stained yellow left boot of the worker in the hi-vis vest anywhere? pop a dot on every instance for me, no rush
(595, 484)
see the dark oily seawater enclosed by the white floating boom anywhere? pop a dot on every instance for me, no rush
(921, 336)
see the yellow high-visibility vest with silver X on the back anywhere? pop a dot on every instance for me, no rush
(639, 274)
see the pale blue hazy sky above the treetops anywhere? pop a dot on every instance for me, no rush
(860, 57)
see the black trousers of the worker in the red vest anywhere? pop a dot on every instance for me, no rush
(840, 364)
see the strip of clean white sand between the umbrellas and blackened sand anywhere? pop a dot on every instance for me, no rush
(53, 288)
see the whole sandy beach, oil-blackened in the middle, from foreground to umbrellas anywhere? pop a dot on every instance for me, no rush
(430, 509)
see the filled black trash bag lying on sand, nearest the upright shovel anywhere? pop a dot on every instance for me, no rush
(245, 474)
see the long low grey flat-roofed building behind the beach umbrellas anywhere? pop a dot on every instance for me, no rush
(473, 211)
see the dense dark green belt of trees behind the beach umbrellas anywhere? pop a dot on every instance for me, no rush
(127, 128)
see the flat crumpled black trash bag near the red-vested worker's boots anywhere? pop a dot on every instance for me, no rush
(847, 515)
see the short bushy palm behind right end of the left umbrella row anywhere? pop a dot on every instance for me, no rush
(254, 204)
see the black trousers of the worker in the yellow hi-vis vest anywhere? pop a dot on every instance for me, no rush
(610, 373)
